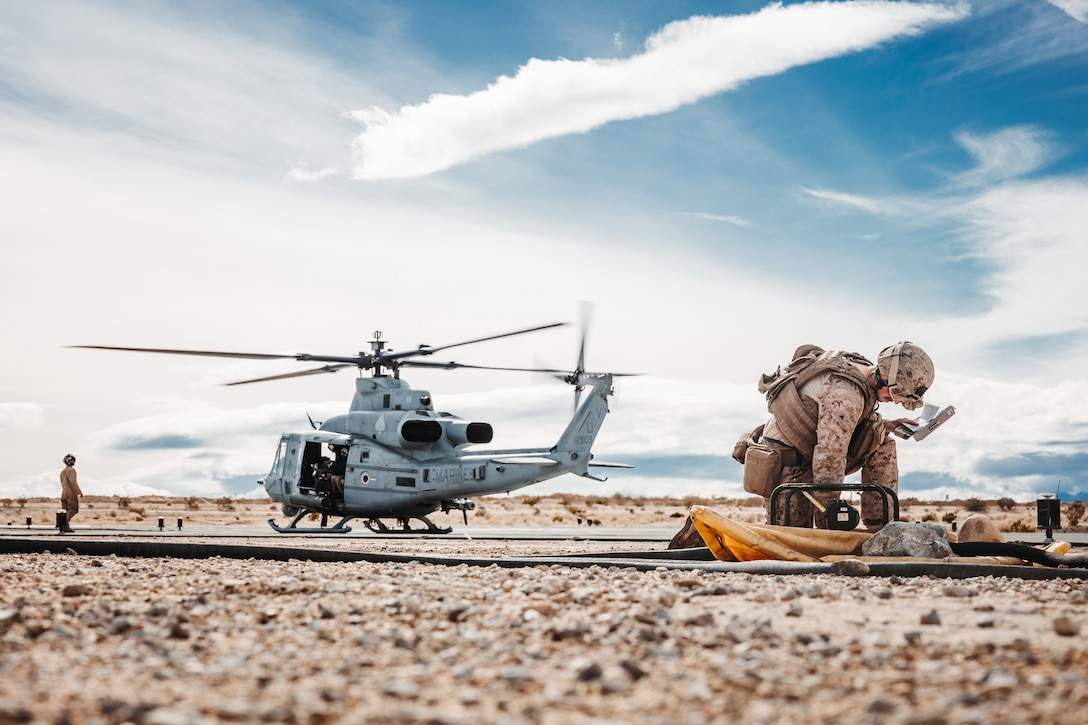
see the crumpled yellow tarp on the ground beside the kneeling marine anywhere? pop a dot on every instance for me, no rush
(734, 542)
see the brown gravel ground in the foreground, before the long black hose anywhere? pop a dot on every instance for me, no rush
(164, 642)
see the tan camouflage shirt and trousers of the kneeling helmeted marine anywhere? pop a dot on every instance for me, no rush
(842, 409)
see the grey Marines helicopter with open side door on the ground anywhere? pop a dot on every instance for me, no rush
(394, 457)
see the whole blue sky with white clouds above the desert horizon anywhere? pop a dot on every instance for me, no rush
(723, 181)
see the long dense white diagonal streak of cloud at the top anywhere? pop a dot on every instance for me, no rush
(683, 64)
